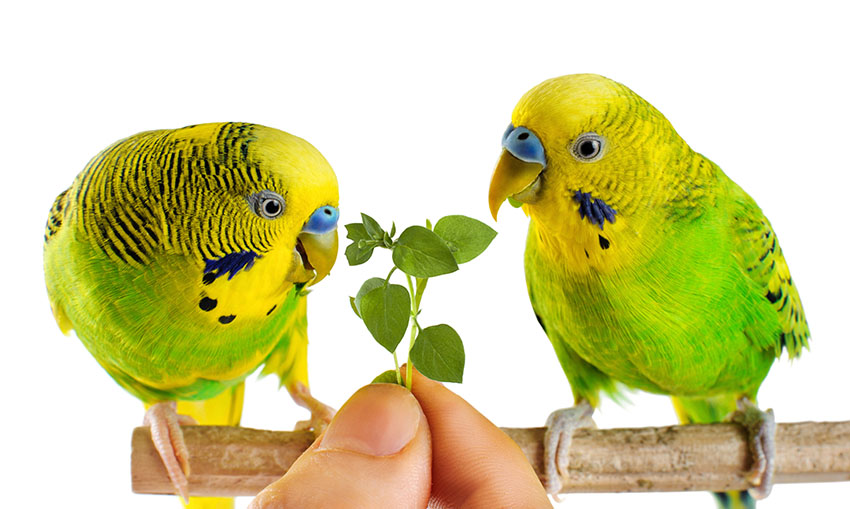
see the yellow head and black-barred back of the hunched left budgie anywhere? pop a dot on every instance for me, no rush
(235, 198)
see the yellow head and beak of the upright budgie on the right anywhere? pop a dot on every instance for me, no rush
(584, 138)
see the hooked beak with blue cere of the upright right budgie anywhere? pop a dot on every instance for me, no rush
(518, 170)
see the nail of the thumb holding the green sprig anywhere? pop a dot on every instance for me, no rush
(377, 420)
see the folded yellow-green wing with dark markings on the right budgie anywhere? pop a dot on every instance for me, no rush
(760, 257)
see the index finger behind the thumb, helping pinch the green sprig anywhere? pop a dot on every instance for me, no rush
(474, 463)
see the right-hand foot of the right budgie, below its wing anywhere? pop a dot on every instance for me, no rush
(761, 431)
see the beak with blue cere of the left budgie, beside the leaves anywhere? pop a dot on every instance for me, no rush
(317, 246)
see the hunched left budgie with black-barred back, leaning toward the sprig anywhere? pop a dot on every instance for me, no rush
(182, 258)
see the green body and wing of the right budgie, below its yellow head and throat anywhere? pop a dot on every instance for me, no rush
(704, 312)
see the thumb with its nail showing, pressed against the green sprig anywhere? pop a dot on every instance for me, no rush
(376, 452)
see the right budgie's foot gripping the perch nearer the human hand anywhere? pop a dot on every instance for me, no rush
(560, 427)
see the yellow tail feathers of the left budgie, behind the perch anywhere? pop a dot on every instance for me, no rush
(222, 410)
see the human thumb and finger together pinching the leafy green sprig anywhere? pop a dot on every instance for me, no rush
(387, 447)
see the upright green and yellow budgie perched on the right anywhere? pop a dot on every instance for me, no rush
(645, 265)
